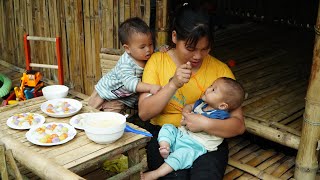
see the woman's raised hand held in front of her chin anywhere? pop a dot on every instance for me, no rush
(182, 75)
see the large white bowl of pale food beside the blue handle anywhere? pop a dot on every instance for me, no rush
(104, 127)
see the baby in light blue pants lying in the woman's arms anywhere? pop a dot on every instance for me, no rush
(180, 147)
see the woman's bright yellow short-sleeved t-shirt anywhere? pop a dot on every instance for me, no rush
(160, 68)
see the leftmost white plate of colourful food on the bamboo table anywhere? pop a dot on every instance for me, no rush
(19, 121)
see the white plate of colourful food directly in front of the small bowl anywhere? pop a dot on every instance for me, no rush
(57, 106)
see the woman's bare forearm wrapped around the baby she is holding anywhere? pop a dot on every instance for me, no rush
(226, 128)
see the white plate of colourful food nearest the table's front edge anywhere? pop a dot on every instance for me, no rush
(34, 137)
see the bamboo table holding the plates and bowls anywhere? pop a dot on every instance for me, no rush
(77, 155)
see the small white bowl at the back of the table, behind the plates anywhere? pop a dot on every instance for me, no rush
(55, 91)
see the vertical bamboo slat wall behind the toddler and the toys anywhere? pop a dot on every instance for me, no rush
(85, 26)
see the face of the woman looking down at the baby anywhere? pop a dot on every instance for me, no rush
(195, 54)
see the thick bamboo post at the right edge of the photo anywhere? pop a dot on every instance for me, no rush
(306, 162)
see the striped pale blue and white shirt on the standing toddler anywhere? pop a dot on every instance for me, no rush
(121, 82)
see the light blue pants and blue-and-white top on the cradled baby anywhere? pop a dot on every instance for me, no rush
(185, 149)
